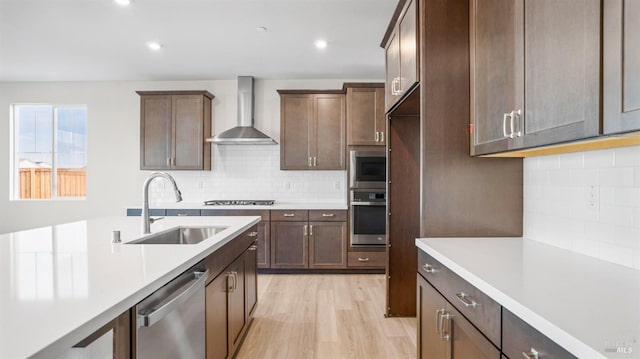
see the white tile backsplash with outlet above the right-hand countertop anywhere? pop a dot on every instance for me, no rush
(559, 210)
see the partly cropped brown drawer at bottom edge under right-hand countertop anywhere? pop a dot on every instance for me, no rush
(520, 339)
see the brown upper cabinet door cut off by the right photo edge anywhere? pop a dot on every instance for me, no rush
(621, 66)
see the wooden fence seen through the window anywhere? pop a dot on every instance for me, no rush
(36, 183)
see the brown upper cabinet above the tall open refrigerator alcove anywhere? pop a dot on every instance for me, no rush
(401, 52)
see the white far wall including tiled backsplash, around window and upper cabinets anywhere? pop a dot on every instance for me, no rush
(114, 179)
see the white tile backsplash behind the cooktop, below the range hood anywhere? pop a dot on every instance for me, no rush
(253, 172)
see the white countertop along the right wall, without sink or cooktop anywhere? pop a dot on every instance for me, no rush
(588, 306)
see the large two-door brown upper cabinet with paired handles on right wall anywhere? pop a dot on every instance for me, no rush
(535, 73)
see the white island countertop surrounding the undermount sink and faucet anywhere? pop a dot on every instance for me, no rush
(59, 284)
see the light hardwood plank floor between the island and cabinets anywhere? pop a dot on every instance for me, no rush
(326, 316)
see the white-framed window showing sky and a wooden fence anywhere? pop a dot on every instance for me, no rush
(49, 148)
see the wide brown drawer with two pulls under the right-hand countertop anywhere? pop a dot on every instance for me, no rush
(481, 310)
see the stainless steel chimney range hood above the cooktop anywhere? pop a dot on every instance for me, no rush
(244, 133)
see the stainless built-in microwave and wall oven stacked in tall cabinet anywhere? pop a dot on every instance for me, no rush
(368, 198)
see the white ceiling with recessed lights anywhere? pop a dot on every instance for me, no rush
(98, 40)
